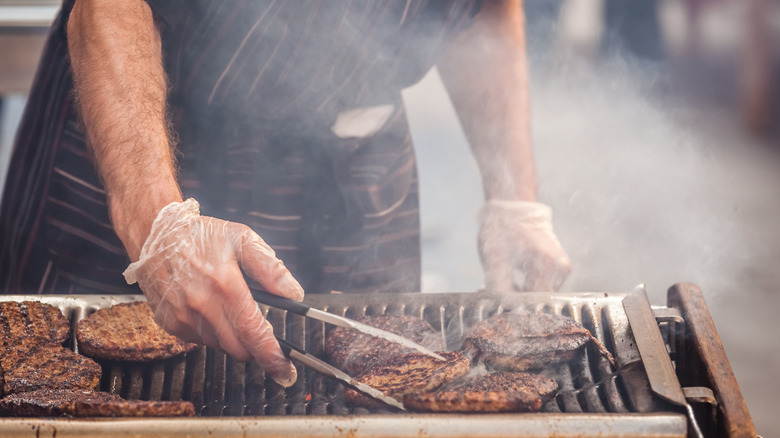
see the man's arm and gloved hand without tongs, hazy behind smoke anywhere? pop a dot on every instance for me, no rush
(486, 76)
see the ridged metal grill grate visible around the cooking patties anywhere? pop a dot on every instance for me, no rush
(220, 386)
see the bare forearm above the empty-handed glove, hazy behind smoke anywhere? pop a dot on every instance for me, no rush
(486, 76)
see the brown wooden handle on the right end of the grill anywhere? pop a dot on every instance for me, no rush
(705, 362)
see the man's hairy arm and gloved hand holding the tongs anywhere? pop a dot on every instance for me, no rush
(189, 266)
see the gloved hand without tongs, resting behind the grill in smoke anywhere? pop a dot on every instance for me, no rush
(517, 236)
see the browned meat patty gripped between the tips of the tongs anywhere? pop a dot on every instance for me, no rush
(409, 373)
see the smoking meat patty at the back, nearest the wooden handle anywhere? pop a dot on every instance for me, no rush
(523, 341)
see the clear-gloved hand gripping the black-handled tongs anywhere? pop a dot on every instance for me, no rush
(190, 272)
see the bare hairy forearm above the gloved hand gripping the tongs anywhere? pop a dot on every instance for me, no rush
(116, 58)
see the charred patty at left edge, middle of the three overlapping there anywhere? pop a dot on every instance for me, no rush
(31, 363)
